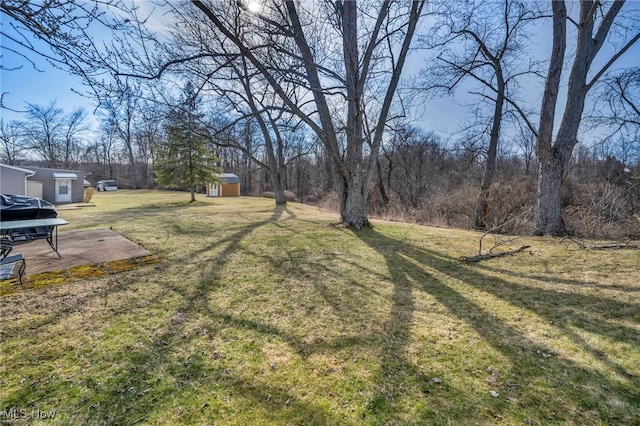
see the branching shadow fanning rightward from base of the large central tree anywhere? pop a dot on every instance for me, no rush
(414, 269)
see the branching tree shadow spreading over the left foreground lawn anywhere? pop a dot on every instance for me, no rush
(149, 368)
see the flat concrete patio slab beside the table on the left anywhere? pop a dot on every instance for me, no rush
(78, 248)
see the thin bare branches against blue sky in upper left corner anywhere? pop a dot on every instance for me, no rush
(65, 34)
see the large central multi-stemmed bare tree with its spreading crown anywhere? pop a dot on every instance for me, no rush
(347, 56)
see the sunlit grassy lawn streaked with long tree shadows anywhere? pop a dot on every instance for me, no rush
(263, 315)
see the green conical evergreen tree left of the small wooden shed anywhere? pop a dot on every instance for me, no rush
(186, 159)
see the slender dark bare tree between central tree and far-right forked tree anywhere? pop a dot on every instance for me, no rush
(483, 44)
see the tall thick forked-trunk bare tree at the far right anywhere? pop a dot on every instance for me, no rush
(593, 25)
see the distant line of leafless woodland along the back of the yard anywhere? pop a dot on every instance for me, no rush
(419, 178)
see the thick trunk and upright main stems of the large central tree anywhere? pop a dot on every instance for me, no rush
(354, 167)
